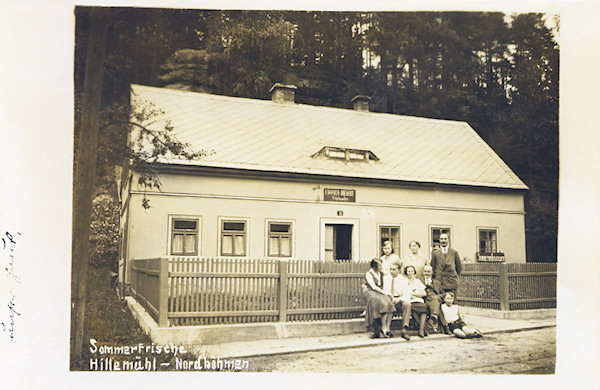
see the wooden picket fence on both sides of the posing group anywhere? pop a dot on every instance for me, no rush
(204, 291)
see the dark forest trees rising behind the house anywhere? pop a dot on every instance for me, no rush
(497, 72)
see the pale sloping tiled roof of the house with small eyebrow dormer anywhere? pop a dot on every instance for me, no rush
(263, 135)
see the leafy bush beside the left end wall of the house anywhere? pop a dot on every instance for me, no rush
(104, 232)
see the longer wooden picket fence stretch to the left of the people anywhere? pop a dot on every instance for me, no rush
(205, 291)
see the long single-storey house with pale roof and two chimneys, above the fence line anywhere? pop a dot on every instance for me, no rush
(286, 180)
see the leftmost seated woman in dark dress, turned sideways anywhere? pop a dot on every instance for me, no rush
(380, 308)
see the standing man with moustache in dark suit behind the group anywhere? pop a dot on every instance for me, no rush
(446, 265)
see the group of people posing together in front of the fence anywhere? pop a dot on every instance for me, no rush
(417, 288)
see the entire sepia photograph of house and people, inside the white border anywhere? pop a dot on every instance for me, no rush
(304, 191)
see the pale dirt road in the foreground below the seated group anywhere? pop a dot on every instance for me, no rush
(526, 352)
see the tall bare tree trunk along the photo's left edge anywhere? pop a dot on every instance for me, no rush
(85, 169)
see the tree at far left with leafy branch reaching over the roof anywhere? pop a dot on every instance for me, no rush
(102, 112)
